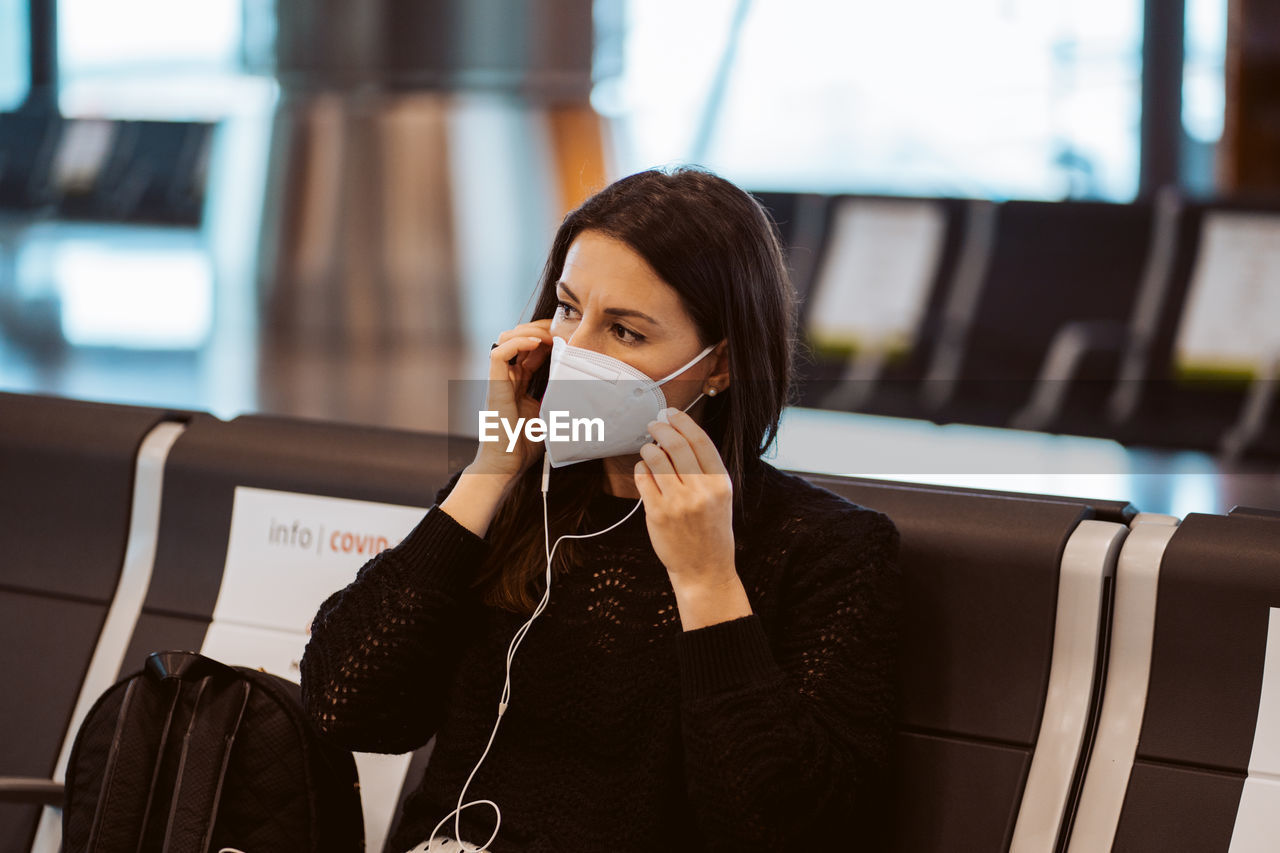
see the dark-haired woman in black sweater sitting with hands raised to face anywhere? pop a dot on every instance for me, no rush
(716, 672)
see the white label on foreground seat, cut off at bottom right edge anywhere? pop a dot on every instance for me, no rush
(1258, 820)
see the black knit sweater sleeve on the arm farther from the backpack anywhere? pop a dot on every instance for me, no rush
(788, 740)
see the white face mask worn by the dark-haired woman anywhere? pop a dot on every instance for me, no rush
(589, 385)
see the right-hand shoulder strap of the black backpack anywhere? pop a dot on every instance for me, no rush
(207, 751)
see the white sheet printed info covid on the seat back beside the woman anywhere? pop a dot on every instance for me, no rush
(289, 553)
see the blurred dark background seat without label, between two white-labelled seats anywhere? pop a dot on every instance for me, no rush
(1054, 275)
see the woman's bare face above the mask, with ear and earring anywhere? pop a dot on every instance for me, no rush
(611, 302)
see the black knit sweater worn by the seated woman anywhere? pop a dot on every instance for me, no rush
(627, 733)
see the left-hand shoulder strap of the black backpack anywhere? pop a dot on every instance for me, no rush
(121, 815)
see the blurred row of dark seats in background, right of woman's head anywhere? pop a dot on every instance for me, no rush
(1151, 323)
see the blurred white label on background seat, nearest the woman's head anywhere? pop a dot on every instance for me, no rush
(876, 279)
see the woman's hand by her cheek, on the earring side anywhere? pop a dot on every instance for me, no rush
(689, 507)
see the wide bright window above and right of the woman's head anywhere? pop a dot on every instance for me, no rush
(1036, 99)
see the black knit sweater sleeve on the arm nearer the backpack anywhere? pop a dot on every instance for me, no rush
(383, 649)
